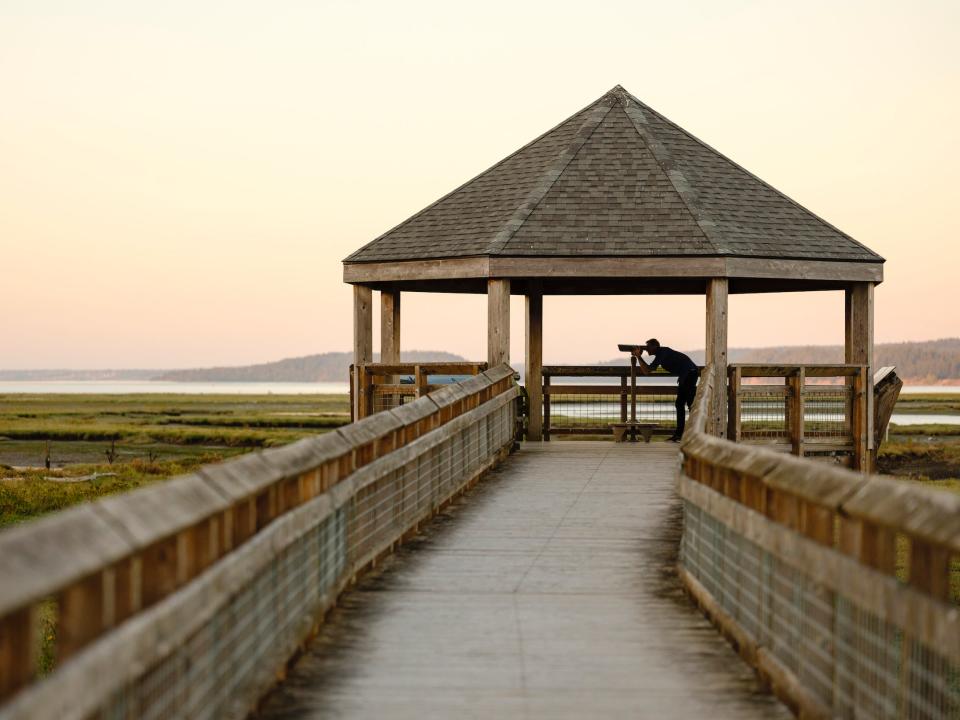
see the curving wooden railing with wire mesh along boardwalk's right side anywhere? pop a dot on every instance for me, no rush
(840, 587)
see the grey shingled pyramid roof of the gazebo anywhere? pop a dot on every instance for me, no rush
(615, 179)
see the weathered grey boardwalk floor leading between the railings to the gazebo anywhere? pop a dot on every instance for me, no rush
(548, 592)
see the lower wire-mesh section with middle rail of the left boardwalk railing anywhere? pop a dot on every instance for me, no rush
(261, 601)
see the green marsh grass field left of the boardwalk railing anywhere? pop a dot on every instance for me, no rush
(121, 442)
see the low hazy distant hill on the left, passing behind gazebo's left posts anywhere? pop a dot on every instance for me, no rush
(326, 367)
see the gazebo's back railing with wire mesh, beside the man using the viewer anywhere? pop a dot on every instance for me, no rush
(590, 408)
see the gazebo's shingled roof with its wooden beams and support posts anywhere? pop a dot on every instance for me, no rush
(615, 200)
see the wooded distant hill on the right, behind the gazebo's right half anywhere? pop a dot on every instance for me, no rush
(918, 363)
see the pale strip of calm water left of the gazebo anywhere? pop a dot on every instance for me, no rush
(121, 387)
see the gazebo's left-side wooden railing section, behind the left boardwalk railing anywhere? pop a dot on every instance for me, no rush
(380, 386)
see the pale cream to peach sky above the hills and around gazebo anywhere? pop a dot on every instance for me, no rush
(179, 181)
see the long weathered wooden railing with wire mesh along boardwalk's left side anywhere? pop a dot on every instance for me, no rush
(186, 598)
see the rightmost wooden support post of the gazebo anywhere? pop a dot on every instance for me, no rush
(859, 351)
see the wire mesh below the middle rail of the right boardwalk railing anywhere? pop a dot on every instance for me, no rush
(851, 661)
